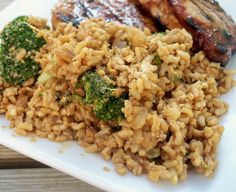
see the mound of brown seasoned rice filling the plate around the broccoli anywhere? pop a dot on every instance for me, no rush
(172, 115)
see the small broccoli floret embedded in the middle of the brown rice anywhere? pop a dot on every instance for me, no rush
(100, 95)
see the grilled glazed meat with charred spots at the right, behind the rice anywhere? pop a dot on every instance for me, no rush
(213, 31)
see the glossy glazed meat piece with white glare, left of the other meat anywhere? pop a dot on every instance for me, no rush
(124, 11)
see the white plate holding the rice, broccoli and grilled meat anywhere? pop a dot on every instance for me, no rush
(71, 158)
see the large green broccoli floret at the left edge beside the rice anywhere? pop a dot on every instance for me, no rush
(18, 35)
